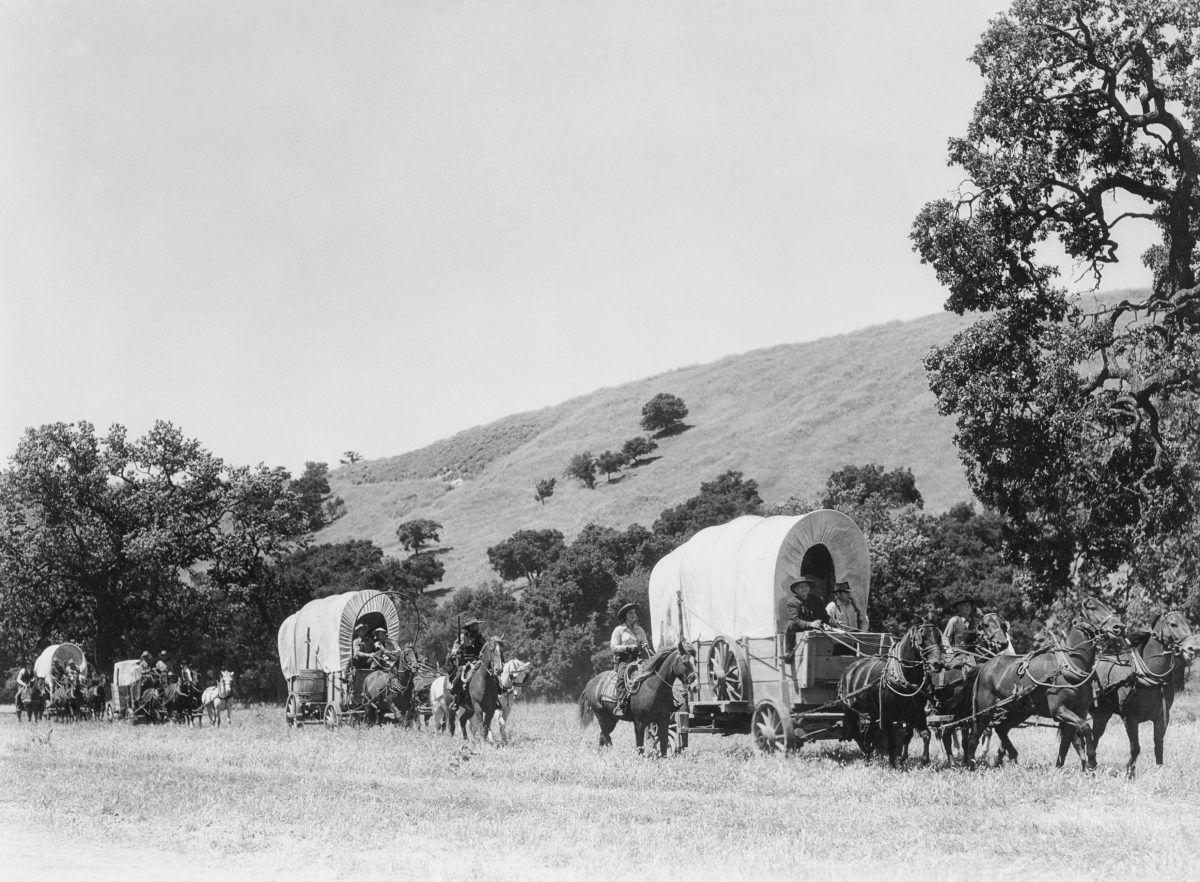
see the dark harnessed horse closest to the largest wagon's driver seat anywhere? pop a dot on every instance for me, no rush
(879, 695)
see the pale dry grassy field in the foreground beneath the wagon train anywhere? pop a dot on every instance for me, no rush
(257, 801)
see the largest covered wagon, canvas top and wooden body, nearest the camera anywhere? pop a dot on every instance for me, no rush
(725, 592)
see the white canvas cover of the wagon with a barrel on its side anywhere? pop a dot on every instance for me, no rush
(321, 634)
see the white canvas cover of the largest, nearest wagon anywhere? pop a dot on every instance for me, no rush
(734, 579)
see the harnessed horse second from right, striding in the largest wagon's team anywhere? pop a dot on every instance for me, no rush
(1054, 681)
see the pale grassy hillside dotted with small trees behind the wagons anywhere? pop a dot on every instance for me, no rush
(787, 417)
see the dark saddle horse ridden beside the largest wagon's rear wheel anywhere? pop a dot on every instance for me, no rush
(651, 699)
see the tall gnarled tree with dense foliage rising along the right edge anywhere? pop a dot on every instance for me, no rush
(1077, 423)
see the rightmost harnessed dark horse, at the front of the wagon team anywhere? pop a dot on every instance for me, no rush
(1141, 685)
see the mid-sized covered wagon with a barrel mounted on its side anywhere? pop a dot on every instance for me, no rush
(315, 653)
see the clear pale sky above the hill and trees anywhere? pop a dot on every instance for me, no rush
(302, 229)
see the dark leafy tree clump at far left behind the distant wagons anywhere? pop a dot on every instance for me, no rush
(101, 538)
